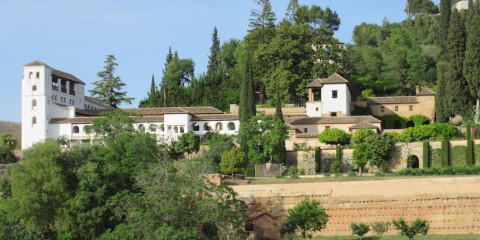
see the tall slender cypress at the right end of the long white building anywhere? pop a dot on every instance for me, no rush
(247, 108)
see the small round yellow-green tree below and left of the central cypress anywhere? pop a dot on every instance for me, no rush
(233, 161)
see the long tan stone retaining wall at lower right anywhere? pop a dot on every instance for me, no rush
(451, 205)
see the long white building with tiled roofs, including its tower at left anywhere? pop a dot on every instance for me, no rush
(54, 105)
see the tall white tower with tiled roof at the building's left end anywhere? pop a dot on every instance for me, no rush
(47, 93)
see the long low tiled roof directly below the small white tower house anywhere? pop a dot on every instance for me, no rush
(332, 120)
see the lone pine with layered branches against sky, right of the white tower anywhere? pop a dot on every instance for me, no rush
(108, 89)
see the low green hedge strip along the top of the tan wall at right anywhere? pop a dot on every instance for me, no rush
(463, 170)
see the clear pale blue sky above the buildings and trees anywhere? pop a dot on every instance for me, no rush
(75, 35)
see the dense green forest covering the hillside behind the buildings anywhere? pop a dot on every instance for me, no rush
(433, 47)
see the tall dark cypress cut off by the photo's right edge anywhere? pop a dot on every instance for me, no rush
(471, 67)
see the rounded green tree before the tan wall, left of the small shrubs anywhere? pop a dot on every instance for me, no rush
(308, 215)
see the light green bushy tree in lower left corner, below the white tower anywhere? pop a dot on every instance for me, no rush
(39, 186)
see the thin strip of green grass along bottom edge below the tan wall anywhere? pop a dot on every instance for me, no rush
(398, 237)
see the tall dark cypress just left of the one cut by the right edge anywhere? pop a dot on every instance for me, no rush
(457, 95)
